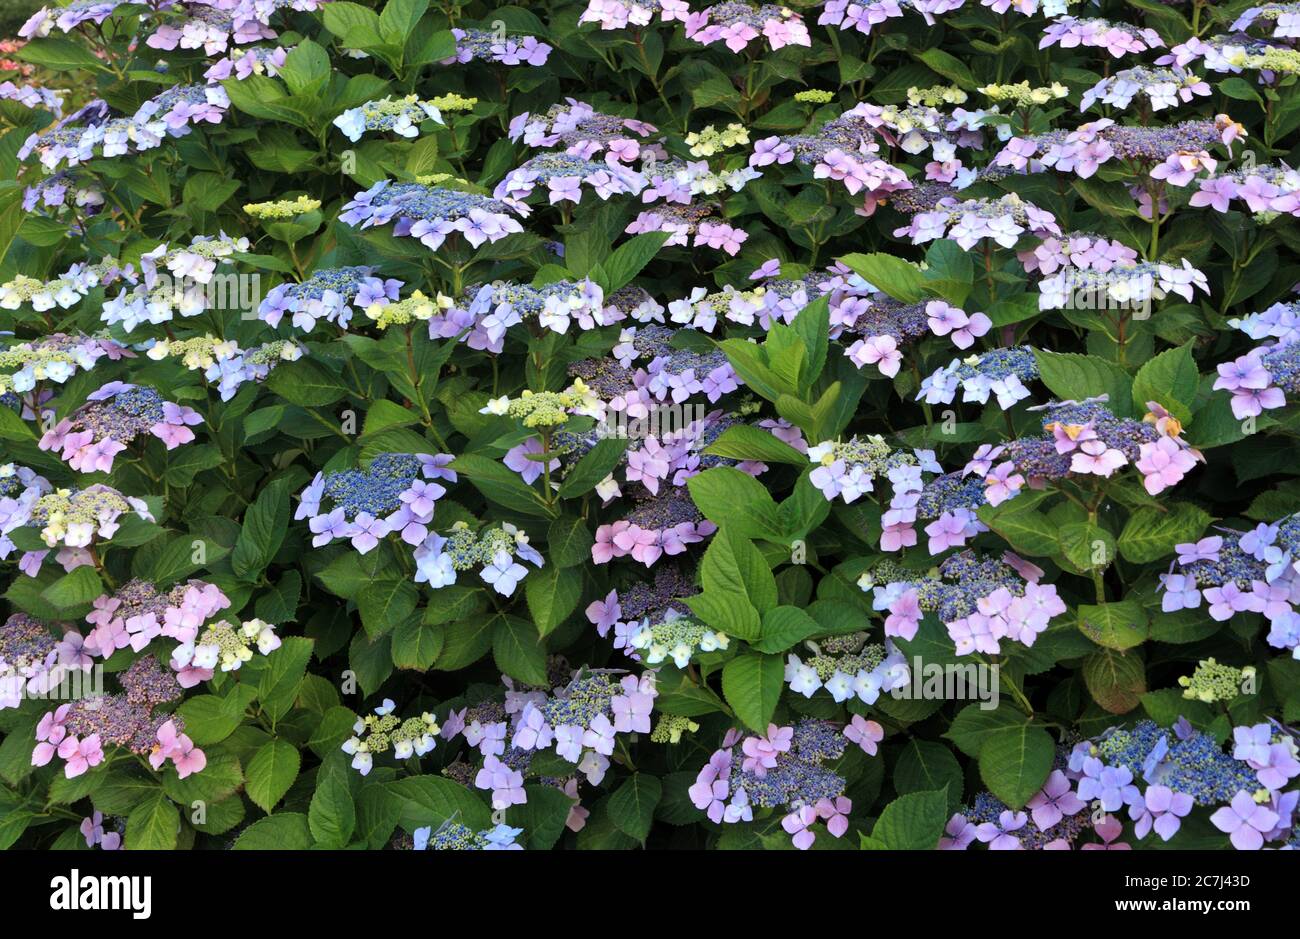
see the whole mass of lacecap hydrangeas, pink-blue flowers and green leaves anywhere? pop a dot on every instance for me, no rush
(318, 317)
